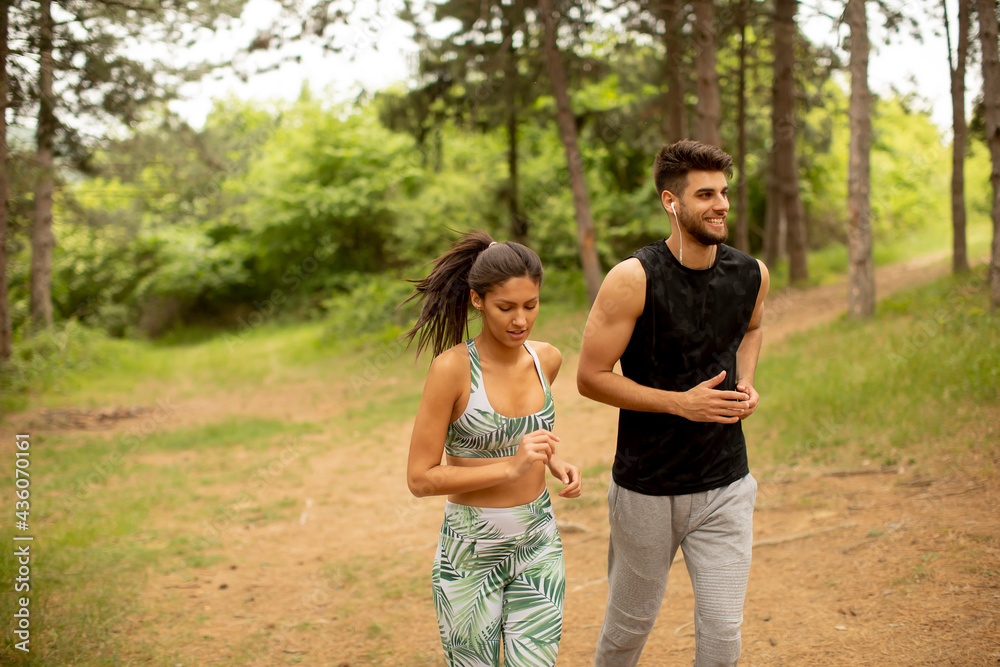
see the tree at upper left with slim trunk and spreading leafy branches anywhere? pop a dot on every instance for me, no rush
(82, 70)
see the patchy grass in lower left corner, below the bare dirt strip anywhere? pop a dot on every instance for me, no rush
(94, 506)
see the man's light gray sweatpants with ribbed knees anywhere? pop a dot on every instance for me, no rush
(715, 531)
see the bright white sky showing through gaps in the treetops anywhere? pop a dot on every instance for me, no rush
(378, 53)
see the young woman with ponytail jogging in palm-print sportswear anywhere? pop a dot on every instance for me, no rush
(487, 408)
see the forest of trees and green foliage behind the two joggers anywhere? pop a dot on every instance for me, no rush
(536, 123)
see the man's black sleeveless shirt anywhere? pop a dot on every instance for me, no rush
(691, 326)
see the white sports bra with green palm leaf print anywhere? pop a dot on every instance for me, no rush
(481, 432)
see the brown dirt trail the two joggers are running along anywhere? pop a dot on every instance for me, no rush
(878, 567)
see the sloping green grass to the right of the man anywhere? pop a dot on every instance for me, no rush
(923, 373)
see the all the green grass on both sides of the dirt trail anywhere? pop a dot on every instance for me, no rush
(920, 379)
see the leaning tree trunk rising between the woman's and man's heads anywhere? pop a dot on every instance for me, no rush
(567, 131)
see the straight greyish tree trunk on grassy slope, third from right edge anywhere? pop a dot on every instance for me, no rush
(861, 275)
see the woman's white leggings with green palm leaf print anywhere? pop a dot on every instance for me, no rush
(499, 575)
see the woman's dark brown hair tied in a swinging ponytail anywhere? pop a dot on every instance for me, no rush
(474, 262)
